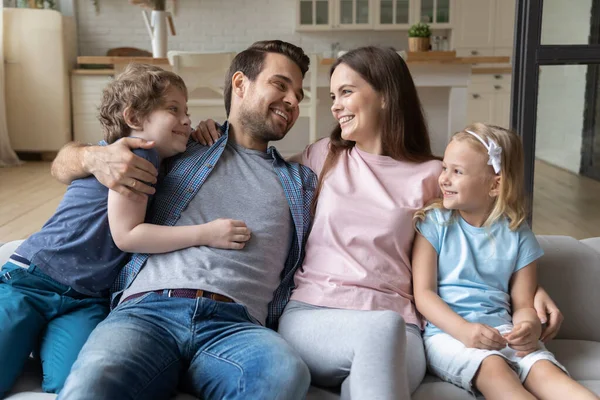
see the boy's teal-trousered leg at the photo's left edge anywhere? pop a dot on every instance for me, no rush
(20, 326)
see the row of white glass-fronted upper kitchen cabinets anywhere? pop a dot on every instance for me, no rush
(326, 15)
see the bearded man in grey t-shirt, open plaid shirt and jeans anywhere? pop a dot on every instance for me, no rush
(197, 315)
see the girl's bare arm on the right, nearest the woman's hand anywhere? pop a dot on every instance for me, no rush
(527, 327)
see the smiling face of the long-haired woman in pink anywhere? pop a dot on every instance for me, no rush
(356, 107)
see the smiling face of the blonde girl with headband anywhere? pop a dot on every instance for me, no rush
(468, 184)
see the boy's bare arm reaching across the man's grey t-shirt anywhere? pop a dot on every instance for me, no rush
(131, 234)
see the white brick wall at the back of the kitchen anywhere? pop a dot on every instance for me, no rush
(213, 26)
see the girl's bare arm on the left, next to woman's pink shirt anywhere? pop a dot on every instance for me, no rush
(429, 303)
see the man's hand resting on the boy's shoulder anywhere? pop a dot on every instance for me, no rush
(117, 168)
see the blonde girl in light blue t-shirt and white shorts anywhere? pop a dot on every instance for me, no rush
(474, 275)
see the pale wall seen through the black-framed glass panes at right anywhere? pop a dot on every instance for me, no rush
(561, 96)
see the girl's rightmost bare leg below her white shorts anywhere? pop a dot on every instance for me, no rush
(546, 381)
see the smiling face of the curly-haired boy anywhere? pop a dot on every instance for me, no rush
(169, 125)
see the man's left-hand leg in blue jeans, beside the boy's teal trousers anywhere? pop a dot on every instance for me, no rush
(134, 353)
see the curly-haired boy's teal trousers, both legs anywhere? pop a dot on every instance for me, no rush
(39, 314)
